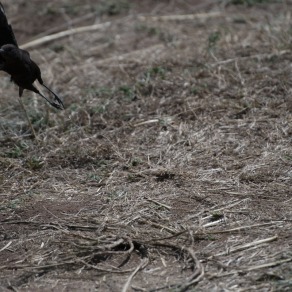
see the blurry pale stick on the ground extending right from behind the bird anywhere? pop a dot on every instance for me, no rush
(64, 33)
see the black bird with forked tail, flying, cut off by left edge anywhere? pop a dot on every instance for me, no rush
(18, 64)
